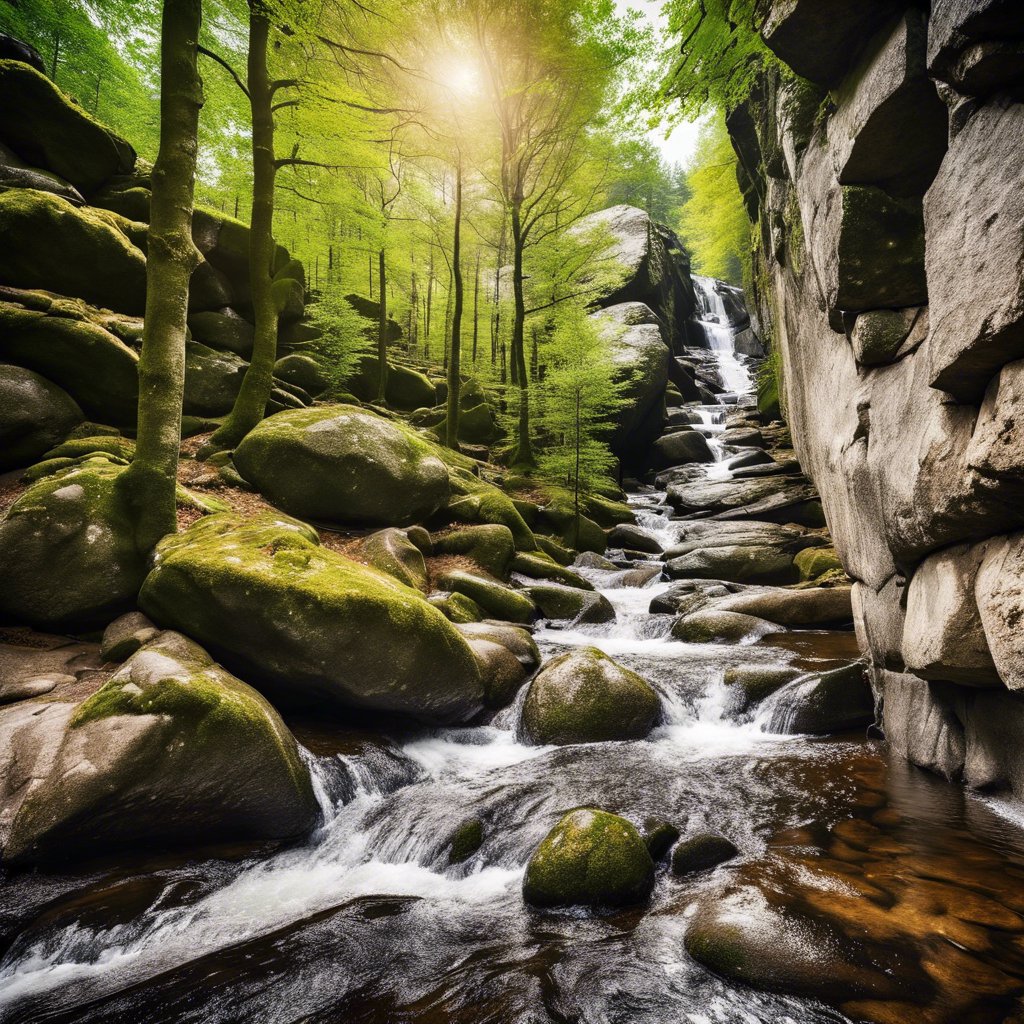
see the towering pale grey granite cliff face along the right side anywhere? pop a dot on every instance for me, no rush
(890, 264)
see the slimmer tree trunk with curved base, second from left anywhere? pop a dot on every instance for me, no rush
(250, 406)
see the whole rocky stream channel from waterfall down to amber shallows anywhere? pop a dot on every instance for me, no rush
(865, 888)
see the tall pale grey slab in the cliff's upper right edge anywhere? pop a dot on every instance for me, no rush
(975, 254)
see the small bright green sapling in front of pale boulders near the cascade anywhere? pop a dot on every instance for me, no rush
(581, 393)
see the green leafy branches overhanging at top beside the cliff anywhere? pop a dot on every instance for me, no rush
(717, 57)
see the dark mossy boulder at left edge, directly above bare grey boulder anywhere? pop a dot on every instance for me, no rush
(66, 345)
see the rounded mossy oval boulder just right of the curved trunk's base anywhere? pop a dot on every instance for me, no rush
(342, 464)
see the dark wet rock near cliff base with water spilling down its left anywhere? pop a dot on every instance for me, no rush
(824, 704)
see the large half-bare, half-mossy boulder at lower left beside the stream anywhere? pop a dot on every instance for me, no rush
(172, 751)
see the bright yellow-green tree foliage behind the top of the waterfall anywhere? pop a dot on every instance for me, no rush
(713, 223)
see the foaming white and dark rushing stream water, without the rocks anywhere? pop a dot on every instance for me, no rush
(368, 921)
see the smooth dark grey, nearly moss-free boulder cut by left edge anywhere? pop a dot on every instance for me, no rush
(35, 415)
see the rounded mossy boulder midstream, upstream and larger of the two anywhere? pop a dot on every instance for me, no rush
(586, 698)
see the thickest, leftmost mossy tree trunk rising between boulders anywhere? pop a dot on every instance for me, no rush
(151, 481)
